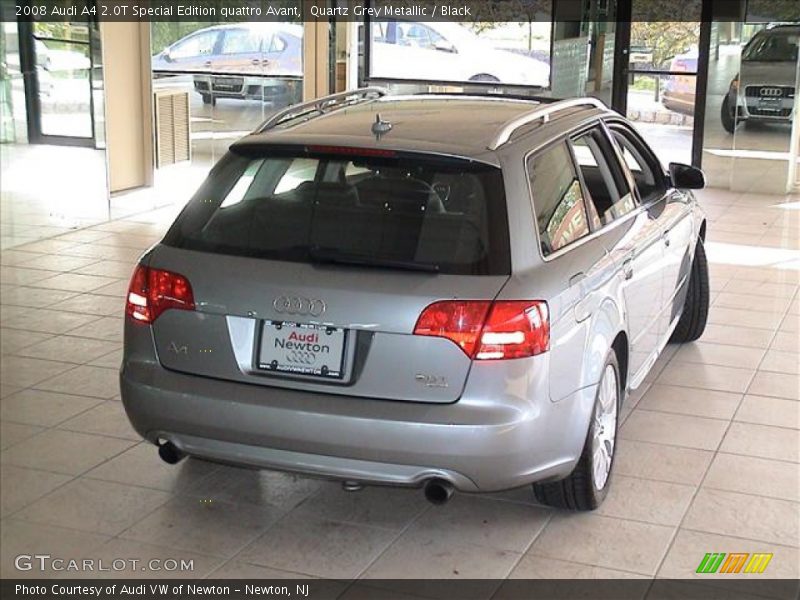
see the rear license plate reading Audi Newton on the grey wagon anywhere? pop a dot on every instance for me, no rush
(302, 349)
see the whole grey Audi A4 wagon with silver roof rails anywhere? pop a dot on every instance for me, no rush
(454, 292)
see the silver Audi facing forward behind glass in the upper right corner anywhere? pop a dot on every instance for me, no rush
(764, 89)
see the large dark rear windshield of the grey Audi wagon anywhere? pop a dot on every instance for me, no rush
(392, 211)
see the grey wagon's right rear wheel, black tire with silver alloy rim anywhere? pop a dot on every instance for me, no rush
(586, 487)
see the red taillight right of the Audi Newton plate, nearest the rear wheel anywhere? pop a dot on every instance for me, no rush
(489, 330)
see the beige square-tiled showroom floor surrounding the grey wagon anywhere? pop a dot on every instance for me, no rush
(708, 452)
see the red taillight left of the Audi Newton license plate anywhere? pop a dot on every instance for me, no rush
(152, 291)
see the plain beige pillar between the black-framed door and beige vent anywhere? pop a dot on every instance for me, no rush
(128, 98)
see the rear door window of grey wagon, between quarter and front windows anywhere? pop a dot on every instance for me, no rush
(604, 180)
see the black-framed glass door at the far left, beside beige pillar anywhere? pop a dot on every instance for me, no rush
(57, 62)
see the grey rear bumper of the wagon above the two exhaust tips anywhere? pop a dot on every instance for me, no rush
(491, 439)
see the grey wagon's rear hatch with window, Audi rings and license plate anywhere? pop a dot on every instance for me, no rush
(310, 267)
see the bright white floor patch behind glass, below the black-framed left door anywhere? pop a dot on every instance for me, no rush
(47, 190)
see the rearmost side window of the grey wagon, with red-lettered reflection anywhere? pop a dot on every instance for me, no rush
(557, 198)
